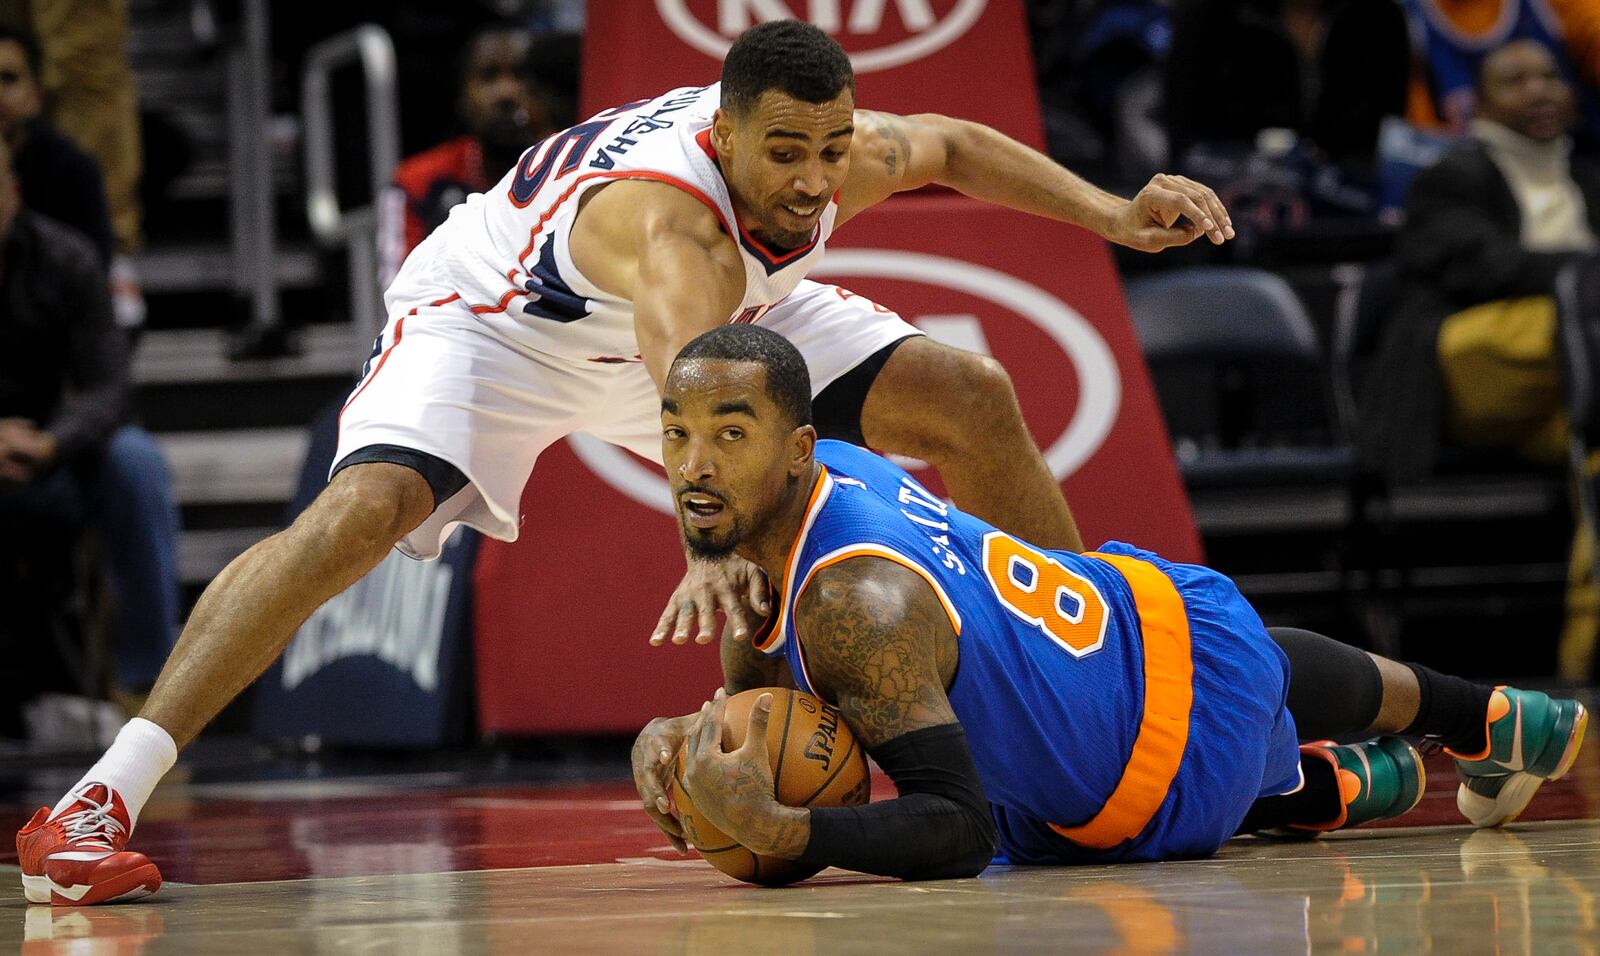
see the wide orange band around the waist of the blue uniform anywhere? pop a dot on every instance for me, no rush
(1169, 696)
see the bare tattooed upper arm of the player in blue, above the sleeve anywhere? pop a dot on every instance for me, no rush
(873, 640)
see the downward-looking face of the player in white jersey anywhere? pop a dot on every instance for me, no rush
(785, 162)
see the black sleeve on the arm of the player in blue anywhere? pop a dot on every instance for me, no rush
(940, 826)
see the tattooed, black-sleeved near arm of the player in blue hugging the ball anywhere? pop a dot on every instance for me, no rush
(874, 637)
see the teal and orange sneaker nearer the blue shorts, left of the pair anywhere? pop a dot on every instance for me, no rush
(1378, 781)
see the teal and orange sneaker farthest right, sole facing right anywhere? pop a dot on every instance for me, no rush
(1532, 738)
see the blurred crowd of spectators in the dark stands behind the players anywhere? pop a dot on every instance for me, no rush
(1455, 138)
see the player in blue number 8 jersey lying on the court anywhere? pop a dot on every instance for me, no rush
(1062, 707)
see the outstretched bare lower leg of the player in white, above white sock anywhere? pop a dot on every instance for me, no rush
(249, 615)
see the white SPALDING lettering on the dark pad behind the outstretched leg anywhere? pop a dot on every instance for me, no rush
(394, 615)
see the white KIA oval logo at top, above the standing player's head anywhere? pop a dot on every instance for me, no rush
(929, 33)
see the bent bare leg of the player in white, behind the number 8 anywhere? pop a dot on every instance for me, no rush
(958, 412)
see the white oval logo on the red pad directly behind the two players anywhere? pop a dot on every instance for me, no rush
(1100, 383)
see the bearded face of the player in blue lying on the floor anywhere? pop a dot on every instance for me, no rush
(730, 453)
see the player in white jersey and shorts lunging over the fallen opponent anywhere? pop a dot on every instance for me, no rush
(554, 305)
